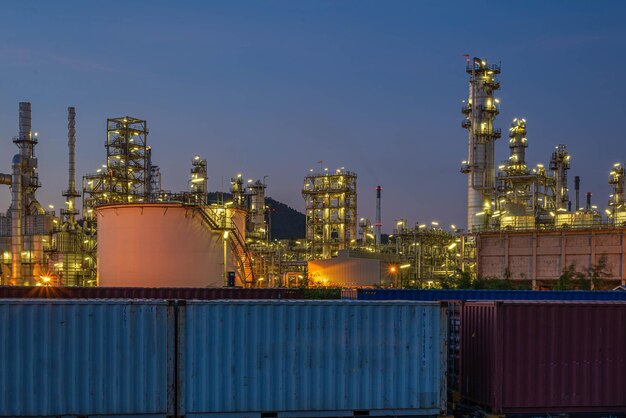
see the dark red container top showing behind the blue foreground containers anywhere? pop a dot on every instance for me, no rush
(71, 292)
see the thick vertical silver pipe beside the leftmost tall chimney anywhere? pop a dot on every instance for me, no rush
(16, 219)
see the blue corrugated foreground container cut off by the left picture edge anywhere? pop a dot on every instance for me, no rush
(84, 358)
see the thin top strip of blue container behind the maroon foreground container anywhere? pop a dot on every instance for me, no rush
(469, 294)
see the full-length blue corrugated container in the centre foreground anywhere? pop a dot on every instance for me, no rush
(312, 358)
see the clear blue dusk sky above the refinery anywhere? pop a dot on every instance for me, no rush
(268, 88)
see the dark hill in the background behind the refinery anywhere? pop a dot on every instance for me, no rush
(287, 223)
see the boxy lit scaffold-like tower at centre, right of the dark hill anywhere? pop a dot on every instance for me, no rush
(331, 205)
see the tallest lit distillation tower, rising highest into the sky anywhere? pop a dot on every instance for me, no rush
(480, 112)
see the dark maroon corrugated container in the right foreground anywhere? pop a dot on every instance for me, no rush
(544, 357)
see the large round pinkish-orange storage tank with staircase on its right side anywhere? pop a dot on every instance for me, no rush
(163, 245)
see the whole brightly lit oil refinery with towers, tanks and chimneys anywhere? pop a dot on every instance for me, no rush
(522, 223)
